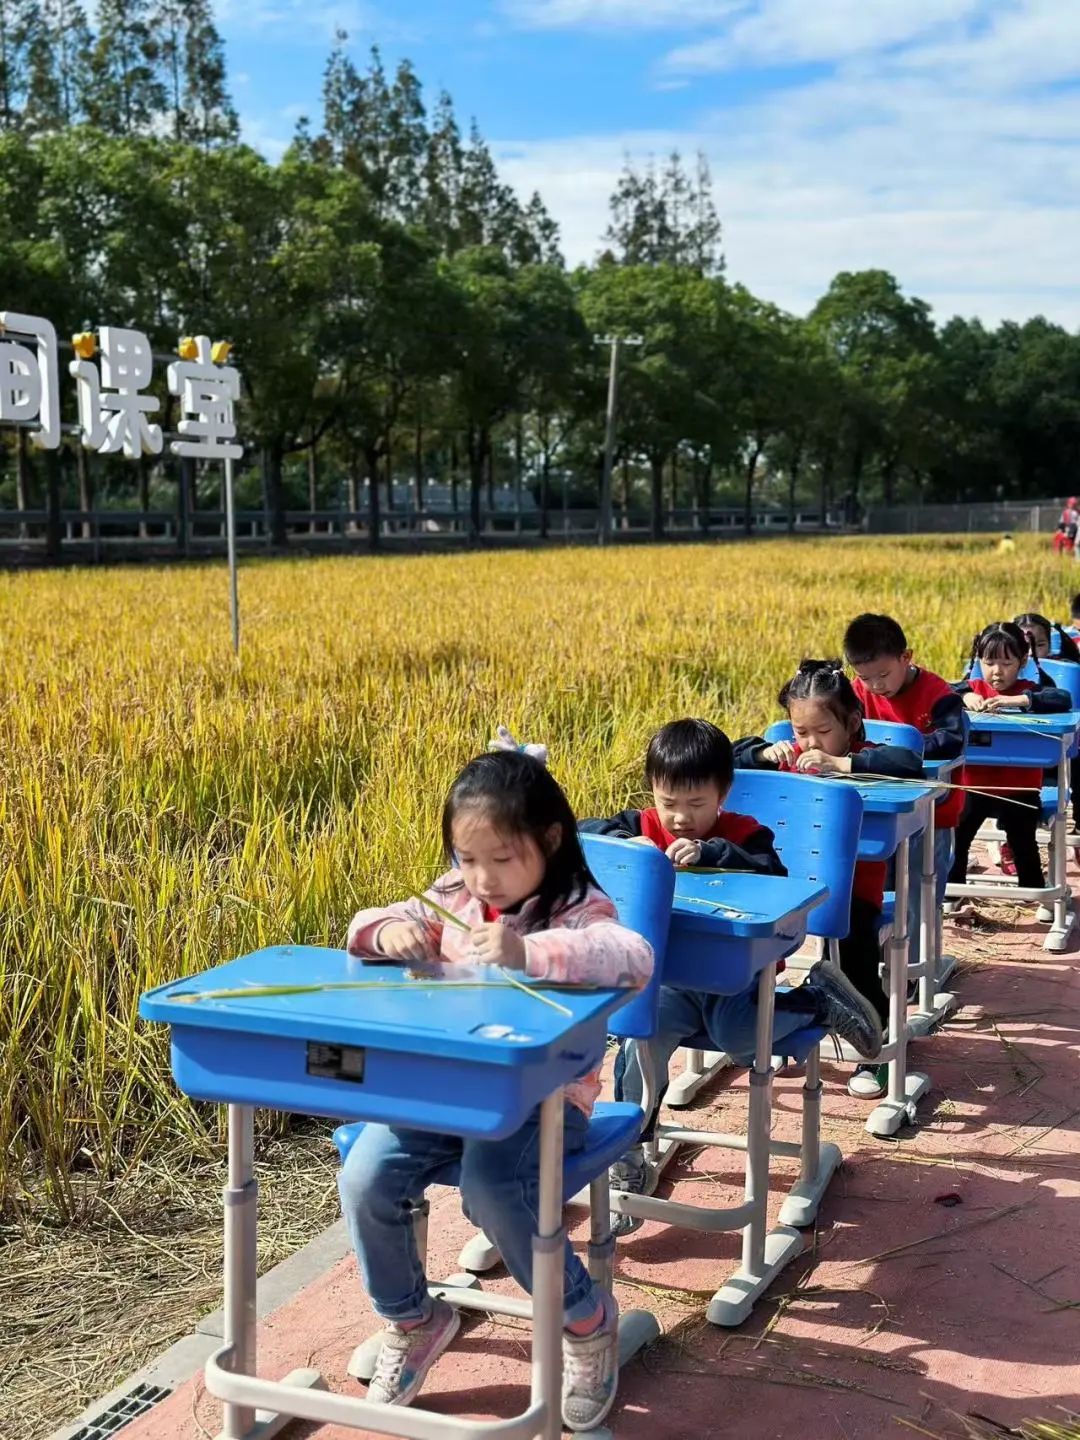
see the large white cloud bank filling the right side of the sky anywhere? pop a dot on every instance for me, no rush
(938, 146)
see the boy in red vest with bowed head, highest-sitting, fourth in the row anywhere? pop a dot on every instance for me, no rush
(891, 688)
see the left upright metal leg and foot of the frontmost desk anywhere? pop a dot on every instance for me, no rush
(241, 1272)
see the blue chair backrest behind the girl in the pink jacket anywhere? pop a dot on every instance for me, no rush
(642, 883)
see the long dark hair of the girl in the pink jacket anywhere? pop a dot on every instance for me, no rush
(521, 797)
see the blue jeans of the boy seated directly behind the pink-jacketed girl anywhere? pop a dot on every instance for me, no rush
(728, 1022)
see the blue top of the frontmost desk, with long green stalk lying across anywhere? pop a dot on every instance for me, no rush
(433, 1017)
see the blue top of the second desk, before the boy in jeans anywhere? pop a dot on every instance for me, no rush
(738, 906)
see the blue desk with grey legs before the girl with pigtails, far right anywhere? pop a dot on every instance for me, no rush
(1030, 741)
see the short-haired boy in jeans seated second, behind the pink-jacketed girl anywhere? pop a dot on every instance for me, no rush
(690, 767)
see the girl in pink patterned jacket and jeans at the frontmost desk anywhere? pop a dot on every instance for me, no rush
(525, 891)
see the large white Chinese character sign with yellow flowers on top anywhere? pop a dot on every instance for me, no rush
(112, 374)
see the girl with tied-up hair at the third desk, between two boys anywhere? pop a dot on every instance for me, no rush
(830, 739)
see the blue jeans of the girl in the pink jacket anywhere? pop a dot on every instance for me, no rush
(390, 1169)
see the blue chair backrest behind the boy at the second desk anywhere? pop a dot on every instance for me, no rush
(817, 824)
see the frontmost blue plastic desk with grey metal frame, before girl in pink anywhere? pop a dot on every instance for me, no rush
(436, 1056)
